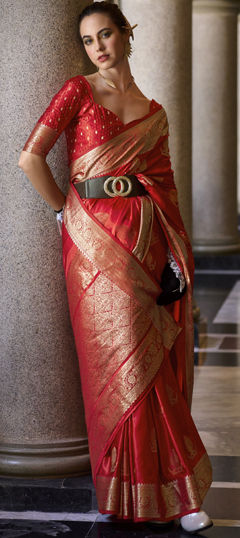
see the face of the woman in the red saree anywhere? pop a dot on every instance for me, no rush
(103, 42)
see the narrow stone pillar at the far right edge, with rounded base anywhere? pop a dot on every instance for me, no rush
(215, 126)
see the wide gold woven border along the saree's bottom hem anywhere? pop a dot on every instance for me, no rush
(149, 501)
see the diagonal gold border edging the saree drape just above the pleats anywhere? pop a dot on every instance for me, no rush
(129, 382)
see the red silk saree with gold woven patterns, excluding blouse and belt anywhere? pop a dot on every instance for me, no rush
(136, 358)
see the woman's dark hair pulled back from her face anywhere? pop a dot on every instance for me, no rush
(112, 10)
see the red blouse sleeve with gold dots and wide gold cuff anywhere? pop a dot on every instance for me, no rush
(63, 107)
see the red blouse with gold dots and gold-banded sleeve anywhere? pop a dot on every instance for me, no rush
(86, 123)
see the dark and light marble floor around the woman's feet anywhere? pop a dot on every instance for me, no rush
(216, 411)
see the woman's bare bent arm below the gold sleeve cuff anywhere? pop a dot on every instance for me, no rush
(40, 175)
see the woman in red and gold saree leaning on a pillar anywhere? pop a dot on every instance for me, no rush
(123, 238)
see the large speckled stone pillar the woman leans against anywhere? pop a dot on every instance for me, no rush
(42, 428)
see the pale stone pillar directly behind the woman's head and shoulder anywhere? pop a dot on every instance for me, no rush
(161, 65)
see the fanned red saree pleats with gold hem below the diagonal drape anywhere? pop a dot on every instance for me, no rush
(154, 468)
